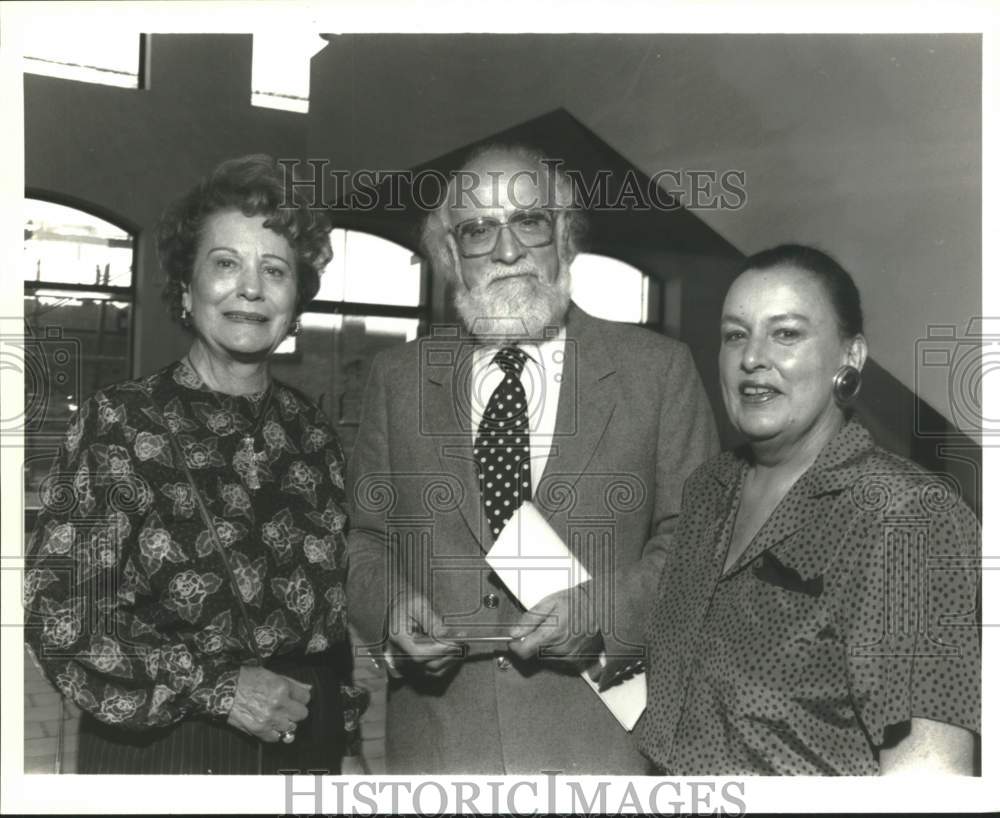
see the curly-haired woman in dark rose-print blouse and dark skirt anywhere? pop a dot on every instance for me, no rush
(185, 578)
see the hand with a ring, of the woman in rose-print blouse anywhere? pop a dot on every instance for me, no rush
(268, 704)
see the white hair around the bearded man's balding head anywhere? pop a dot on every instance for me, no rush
(436, 226)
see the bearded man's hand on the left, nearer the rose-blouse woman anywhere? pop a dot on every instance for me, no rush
(413, 648)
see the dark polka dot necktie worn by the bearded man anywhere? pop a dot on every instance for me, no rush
(501, 447)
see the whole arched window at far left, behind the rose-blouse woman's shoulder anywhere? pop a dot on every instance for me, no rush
(77, 270)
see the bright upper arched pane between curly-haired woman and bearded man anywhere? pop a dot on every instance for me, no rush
(370, 269)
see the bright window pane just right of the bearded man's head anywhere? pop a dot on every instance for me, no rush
(610, 289)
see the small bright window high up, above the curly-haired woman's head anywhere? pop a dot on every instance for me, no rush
(280, 73)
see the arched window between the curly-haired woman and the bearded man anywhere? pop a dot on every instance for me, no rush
(373, 295)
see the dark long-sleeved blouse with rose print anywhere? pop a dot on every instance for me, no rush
(131, 610)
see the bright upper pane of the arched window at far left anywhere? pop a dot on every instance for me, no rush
(72, 247)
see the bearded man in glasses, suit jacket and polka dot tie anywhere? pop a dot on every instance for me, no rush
(597, 424)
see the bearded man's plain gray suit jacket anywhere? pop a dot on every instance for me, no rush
(633, 422)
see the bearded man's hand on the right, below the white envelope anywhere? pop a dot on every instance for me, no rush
(562, 627)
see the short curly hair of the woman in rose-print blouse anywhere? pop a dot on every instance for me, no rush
(254, 186)
